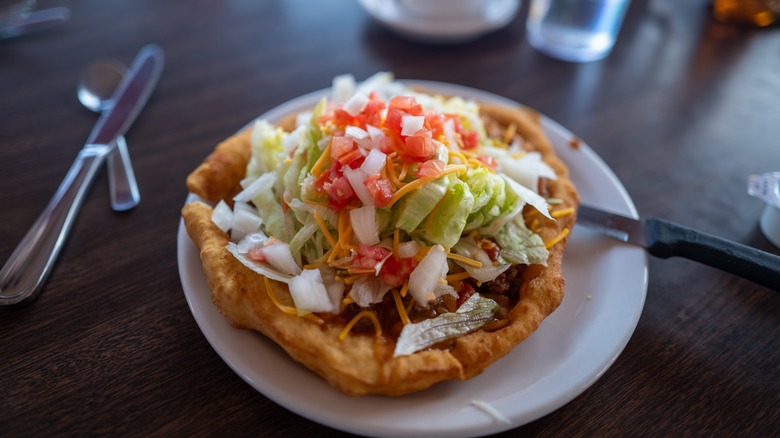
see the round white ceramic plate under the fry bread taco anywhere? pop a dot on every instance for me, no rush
(606, 284)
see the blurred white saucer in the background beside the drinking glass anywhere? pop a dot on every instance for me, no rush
(425, 26)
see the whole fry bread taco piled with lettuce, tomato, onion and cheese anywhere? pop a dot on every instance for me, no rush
(387, 238)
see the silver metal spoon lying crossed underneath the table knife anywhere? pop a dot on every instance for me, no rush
(95, 89)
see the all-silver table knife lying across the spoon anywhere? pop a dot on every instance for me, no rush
(26, 270)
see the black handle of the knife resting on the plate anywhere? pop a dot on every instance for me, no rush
(666, 239)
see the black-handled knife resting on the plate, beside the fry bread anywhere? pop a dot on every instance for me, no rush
(665, 239)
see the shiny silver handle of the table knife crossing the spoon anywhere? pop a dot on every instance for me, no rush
(26, 270)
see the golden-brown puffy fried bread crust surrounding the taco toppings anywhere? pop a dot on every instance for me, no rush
(363, 364)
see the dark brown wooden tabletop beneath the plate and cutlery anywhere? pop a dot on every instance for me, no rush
(683, 111)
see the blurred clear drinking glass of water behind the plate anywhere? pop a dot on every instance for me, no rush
(575, 30)
